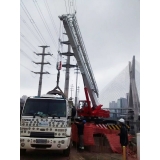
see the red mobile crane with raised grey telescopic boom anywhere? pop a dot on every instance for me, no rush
(91, 110)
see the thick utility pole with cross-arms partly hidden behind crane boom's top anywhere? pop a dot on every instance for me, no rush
(67, 66)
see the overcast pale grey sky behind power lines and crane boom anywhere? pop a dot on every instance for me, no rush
(110, 30)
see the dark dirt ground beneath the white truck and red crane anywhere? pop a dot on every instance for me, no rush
(74, 155)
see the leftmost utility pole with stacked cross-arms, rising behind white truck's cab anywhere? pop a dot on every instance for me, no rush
(41, 71)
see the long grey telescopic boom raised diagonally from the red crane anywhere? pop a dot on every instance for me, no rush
(73, 32)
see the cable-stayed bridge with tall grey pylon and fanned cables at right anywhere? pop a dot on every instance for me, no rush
(122, 95)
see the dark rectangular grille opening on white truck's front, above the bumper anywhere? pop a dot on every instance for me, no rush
(42, 134)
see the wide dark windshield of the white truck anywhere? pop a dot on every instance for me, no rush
(48, 107)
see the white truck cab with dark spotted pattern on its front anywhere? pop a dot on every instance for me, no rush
(45, 124)
